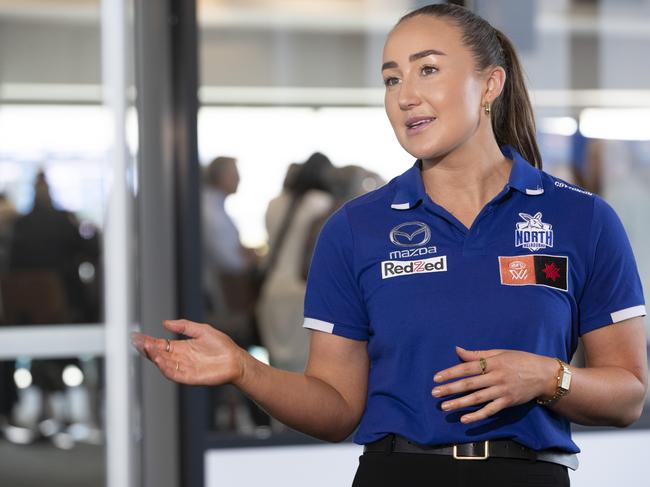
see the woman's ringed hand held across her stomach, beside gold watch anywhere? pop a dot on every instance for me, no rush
(511, 377)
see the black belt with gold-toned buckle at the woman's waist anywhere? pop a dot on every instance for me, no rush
(477, 450)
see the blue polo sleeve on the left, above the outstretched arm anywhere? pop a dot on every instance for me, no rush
(333, 299)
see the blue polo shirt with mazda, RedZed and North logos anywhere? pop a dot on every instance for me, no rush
(543, 263)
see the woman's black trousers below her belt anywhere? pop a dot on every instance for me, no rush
(378, 469)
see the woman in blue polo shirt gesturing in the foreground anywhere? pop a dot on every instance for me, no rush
(474, 246)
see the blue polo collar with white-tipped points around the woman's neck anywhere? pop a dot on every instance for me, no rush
(410, 190)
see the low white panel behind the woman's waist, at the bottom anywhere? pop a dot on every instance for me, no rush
(607, 459)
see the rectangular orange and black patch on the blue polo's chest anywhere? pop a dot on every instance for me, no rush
(535, 270)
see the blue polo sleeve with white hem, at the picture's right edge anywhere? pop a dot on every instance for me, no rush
(613, 290)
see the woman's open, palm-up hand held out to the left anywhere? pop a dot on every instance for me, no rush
(208, 357)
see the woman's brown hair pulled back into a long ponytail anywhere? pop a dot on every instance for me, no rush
(513, 121)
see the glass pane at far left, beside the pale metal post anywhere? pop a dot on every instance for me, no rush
(53, 186)
